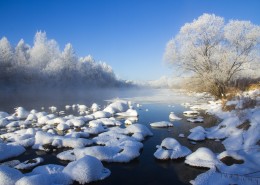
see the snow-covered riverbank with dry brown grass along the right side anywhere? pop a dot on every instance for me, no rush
(239, 132)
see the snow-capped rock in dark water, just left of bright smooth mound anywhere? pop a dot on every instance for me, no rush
(170, 148)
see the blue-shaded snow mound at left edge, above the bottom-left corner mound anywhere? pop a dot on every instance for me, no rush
(10, 150)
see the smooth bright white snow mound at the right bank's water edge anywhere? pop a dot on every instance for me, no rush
(202, 157)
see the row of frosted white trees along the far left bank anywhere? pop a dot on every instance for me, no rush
(44, 64)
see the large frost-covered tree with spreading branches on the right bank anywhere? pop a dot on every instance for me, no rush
(215, 52)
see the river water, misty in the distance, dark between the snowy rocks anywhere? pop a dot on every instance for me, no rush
(156, 106)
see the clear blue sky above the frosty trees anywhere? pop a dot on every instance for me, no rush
(130, 35)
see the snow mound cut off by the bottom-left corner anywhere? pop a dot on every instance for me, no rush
(8, 175)
